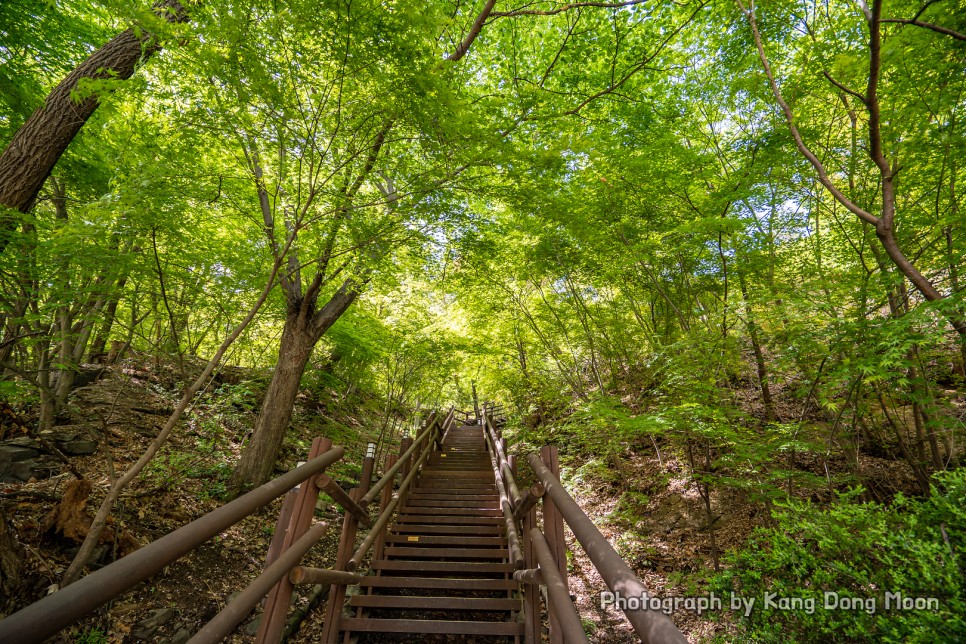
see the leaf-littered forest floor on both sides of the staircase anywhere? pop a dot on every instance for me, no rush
(643, 500)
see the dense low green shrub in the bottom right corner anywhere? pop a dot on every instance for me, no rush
(913, 547)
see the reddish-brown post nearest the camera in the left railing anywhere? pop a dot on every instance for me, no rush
(301, 512)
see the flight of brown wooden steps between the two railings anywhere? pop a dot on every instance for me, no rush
(443, 573)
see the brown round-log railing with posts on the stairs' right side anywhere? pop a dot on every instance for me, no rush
(540, 554)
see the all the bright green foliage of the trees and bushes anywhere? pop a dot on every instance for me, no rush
(598, 216)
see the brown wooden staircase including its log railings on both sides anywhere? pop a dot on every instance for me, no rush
(458, 553)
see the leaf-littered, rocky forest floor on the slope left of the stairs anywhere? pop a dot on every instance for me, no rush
(186, 480)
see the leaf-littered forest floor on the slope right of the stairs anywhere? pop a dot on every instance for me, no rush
(645, 501)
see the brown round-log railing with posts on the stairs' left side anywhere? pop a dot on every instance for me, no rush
(295, 534)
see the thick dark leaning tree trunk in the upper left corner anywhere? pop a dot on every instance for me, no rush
(37, 146)
